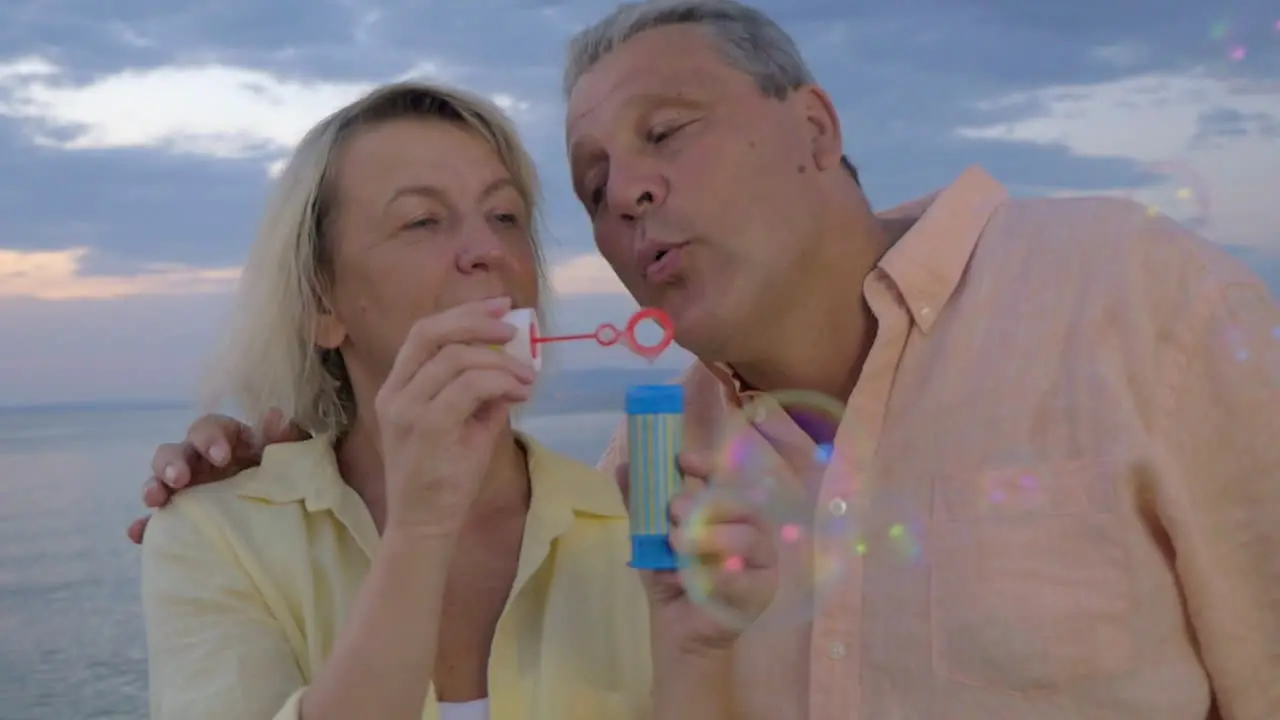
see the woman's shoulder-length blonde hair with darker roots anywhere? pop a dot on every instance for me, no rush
(271, 358)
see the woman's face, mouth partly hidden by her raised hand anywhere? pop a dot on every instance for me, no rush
(426, 217)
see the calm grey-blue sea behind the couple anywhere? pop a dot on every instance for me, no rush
(72, 641)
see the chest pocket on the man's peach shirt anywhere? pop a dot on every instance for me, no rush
(1031, 584)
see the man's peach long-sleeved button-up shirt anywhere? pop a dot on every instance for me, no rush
(1073, 409)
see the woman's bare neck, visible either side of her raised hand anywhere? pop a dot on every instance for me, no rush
(505, 490)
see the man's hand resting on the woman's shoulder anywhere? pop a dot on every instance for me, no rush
(217, 448)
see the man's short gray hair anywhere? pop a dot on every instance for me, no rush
(747, 39)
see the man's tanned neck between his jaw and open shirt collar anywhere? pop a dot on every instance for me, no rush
(822, 340)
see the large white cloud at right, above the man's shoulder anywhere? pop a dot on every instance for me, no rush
(1210, 144)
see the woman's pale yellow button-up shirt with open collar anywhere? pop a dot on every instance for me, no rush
(246, 585)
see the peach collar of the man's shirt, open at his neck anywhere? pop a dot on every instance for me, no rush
(930, 259)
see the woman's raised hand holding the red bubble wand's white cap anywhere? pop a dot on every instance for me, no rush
(445, 403)
